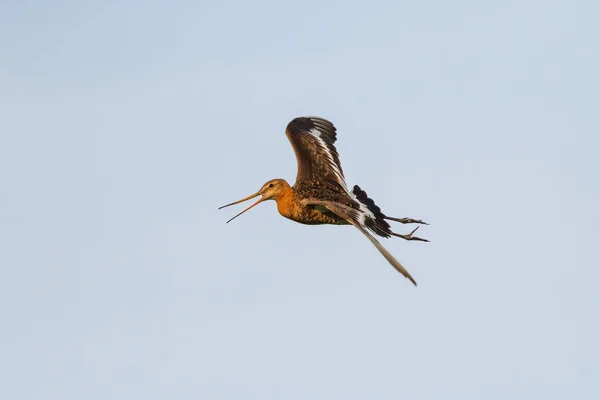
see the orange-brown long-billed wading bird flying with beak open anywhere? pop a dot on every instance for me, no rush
(320, 194)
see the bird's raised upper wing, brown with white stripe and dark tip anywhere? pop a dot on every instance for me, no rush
(313, 141)
